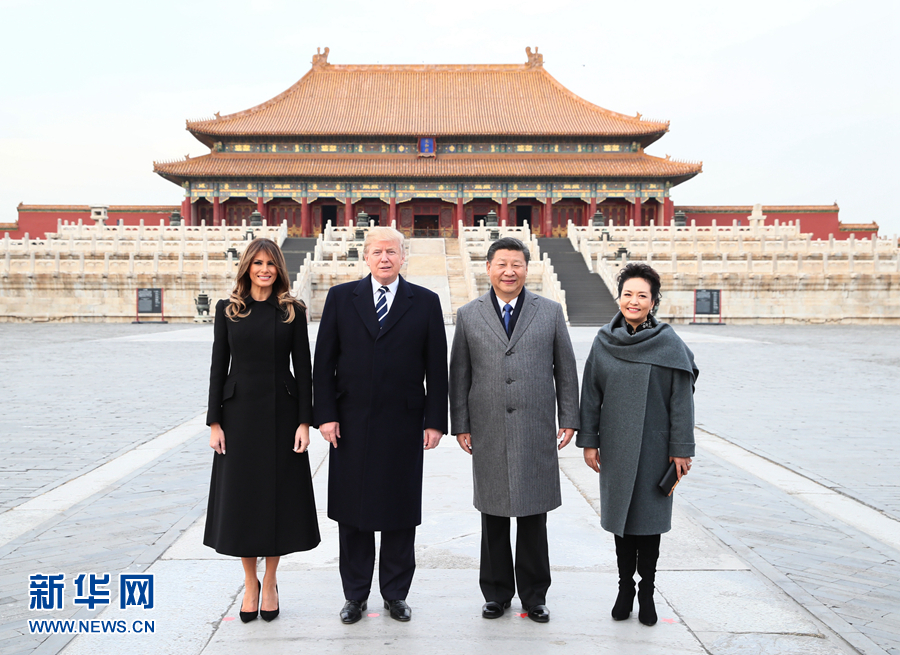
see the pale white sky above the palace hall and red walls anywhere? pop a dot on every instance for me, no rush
(785, 102)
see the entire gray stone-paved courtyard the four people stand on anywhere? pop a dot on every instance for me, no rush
(785, 541)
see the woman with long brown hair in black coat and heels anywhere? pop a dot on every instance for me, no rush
(261, 500)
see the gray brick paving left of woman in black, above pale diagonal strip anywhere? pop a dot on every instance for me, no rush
(72, 398)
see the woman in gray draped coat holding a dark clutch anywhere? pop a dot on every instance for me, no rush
(637, 416)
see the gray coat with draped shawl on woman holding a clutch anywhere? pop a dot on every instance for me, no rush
(637, 407)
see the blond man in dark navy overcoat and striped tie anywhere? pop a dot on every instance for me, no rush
(380, 386)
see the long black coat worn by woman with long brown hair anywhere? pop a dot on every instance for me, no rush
(261, 500)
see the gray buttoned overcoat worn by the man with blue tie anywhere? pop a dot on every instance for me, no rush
(507, 392)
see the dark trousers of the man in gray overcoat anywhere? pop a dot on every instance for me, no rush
(499, 577)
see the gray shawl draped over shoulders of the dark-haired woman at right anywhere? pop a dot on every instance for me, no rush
(658, 345)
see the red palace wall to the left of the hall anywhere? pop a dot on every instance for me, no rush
(37, 220)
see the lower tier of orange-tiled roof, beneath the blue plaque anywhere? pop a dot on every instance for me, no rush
(633, 165)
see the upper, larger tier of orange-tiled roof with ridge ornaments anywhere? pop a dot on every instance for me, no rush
(428, 100)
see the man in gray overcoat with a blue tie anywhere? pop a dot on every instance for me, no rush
(511, 367)
